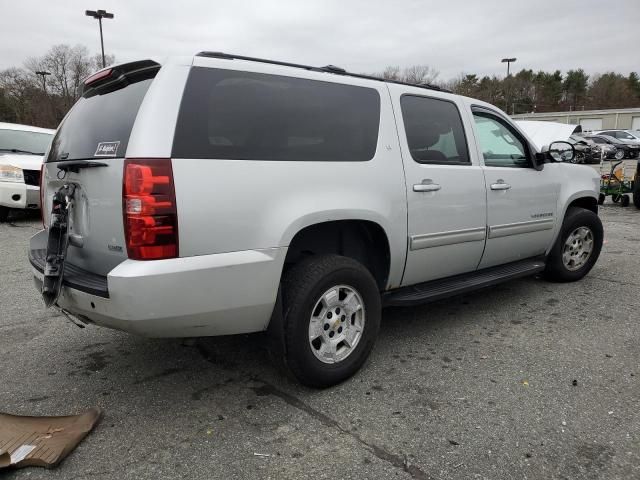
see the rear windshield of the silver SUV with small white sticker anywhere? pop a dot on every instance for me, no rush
(99, 125)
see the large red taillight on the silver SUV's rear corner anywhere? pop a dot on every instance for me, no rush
(149, 209)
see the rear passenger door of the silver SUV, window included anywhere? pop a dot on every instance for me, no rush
(446, 196)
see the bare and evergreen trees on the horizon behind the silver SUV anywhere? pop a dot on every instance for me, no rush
(26, 97)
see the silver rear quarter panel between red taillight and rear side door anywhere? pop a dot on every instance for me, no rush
(233, 205)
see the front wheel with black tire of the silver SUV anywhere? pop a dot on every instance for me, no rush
(577, 247)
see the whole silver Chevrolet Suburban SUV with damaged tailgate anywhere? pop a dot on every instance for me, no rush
(221, 194)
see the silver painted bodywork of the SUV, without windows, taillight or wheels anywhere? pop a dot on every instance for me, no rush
(237, 218)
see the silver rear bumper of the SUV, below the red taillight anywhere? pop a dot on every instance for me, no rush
(220, 294)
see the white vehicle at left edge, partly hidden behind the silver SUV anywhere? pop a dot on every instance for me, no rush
(21, 152)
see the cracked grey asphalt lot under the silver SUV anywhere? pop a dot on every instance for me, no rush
(480, 386)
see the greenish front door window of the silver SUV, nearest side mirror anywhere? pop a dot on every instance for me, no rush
(500, 145)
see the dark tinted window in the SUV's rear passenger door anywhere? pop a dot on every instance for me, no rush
(434, 130)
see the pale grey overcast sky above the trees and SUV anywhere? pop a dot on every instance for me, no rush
(452, 36)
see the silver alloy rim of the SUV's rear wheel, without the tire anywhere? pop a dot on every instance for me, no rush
(336, 324)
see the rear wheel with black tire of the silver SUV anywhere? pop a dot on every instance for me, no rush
(332, 312)
